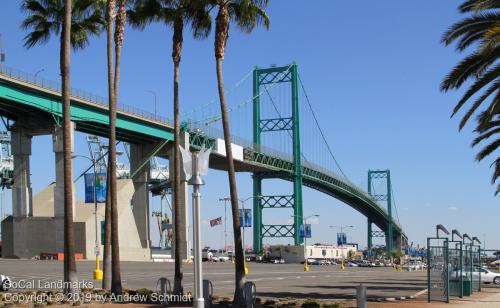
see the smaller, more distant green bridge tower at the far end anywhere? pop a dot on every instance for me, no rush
(387, 197)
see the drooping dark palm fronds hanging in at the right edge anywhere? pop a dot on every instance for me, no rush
(480, 69)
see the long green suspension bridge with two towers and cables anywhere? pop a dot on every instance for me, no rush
(286, 142)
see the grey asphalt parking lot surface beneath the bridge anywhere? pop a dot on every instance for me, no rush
(272, 280)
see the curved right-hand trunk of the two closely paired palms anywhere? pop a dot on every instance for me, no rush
(116, 281)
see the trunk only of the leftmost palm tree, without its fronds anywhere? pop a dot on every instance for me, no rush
(69, 259)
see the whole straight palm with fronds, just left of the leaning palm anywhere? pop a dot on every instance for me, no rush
(175, 14)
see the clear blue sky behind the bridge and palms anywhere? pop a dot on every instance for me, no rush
(372, 72)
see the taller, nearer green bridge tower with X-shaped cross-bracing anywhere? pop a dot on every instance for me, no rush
(264, 77)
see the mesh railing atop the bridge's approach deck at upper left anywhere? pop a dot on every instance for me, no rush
(55, 86)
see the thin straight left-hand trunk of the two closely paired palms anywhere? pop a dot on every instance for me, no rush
(110, 10)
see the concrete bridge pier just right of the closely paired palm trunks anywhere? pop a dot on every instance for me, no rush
(140, 200)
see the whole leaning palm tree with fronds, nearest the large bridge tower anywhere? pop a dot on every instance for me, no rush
(247, 14)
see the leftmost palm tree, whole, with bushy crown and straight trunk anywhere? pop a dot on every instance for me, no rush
(73, 24)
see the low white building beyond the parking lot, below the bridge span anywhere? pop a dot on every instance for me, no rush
(295, 254)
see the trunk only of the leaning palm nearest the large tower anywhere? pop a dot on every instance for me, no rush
(221, 35)
